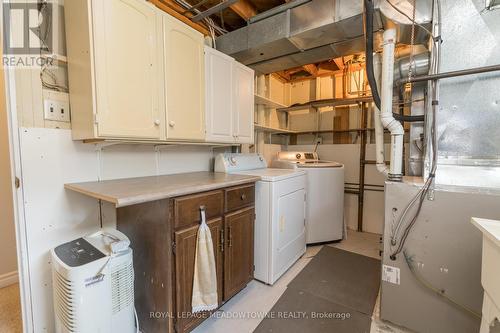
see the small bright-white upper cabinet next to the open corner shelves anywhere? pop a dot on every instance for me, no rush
(229, 98)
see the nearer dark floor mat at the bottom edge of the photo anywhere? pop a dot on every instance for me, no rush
(311, 316)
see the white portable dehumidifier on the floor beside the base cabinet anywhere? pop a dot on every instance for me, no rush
(93, 284)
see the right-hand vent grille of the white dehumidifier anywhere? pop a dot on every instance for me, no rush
(122, 287)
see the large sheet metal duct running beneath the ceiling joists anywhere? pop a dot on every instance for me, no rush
(315, 31)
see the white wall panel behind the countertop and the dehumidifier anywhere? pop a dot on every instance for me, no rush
(55, 215)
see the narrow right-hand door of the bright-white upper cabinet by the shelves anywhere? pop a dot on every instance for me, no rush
(243, 103)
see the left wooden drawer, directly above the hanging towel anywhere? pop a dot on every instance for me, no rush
(187, 208)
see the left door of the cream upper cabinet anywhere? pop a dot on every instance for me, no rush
(126, 53)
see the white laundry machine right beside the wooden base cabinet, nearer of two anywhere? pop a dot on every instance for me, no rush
(280, 213)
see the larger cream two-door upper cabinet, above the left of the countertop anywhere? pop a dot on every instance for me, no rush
(135, 73)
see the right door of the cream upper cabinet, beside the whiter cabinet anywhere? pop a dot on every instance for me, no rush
(185, 82)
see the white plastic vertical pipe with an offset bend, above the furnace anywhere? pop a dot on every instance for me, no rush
(394, 126)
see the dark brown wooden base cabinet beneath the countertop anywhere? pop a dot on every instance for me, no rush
(163, 237)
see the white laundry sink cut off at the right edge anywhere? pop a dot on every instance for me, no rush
(490, 271)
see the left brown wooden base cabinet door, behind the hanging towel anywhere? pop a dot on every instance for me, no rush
(185, 252)
